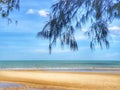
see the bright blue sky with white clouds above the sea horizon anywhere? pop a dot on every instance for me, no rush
(19, 42)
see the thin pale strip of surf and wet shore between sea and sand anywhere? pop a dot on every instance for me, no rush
(101, 70)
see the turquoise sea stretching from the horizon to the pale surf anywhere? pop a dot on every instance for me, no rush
(63, 65)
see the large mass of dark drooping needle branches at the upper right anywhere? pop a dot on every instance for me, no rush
(67, 16)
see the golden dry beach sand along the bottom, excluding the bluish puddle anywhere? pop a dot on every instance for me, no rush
(46, 80)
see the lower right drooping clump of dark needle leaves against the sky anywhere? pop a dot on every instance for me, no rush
(98, 34)
